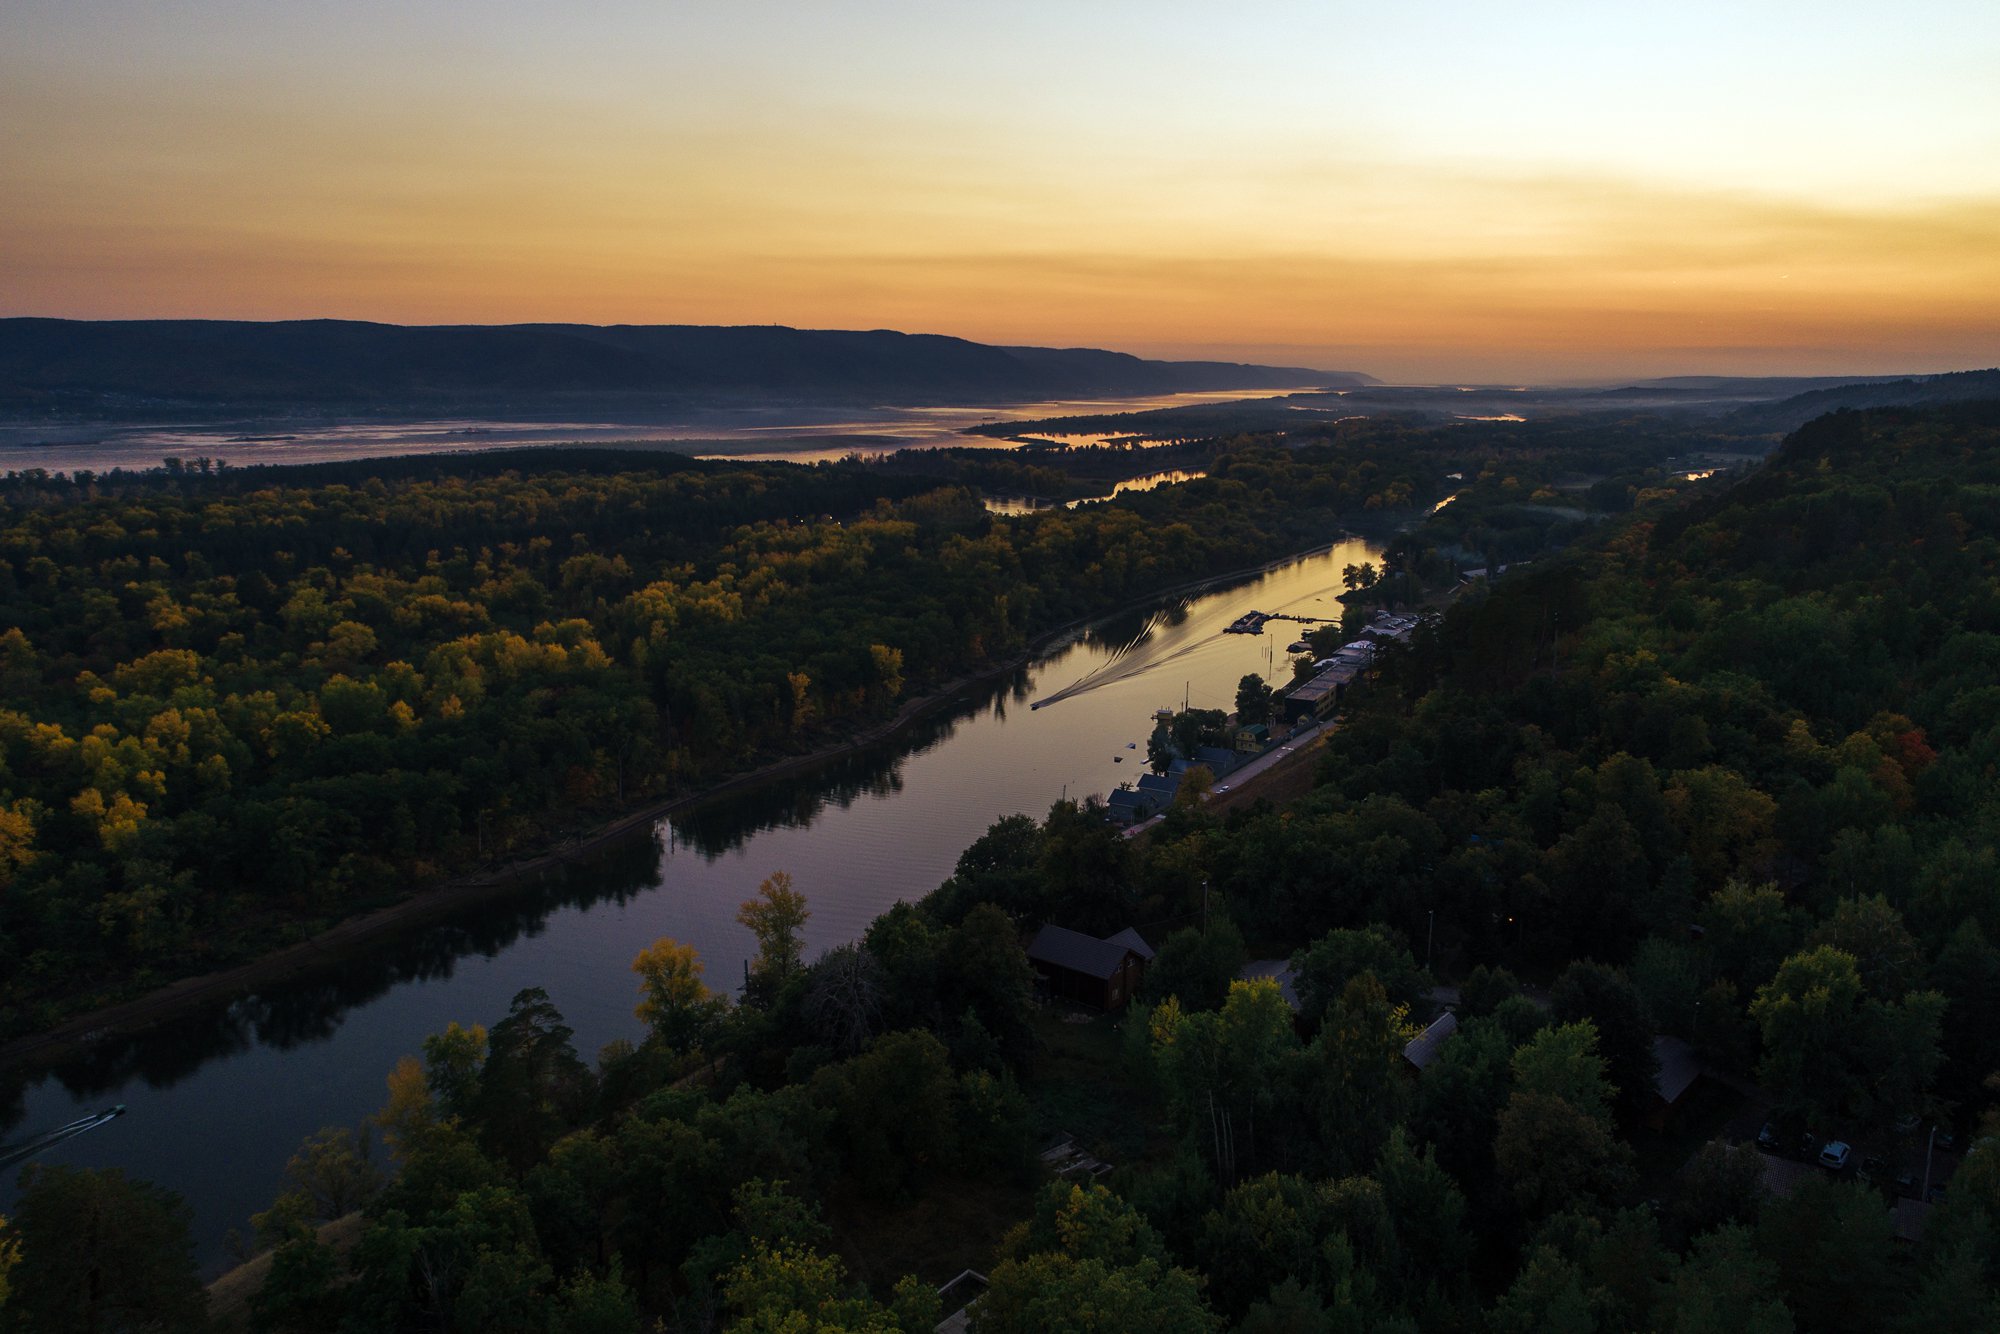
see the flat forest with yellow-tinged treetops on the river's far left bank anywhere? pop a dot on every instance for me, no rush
(237, 705)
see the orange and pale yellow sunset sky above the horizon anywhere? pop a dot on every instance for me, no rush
(1423, 191)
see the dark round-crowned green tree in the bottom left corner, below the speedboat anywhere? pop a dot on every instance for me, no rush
(103, 1253)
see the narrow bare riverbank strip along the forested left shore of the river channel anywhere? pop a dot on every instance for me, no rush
(423, 907)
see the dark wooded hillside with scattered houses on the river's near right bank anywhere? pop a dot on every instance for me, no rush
(1731, 775)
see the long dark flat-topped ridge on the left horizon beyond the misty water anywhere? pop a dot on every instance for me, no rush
(121, 367)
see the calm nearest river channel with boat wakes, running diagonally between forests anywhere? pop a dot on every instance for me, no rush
(219, 1101)
